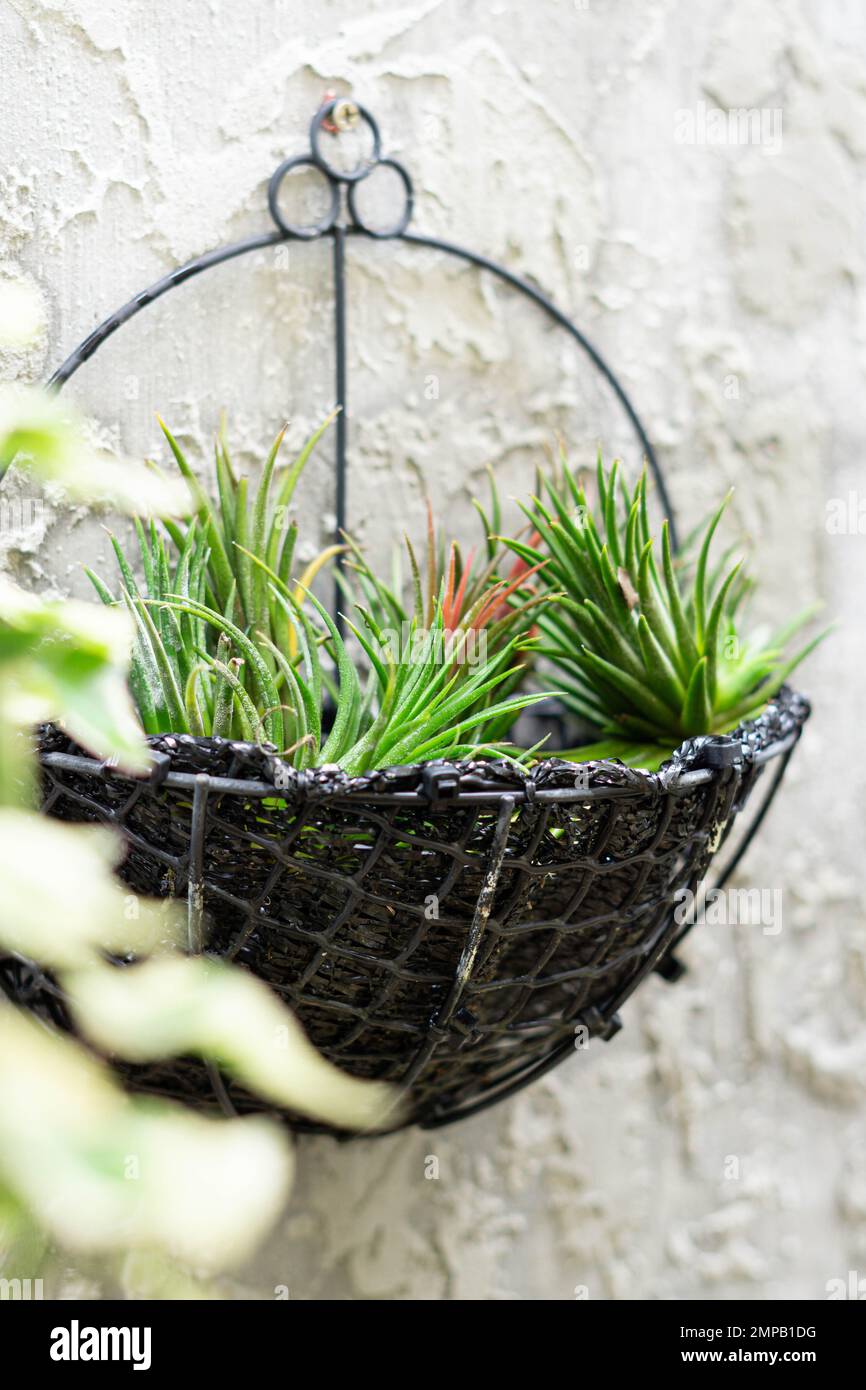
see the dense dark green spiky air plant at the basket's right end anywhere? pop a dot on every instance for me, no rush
(646, 648)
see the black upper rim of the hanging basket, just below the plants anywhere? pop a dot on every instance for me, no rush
(255, 771)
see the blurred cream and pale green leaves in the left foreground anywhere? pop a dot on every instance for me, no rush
(148, 1186)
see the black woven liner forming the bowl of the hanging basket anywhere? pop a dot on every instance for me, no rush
(326, 890)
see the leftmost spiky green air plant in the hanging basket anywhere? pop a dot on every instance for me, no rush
(190, 676)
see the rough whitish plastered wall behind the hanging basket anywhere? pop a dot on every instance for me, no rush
(717, 1147)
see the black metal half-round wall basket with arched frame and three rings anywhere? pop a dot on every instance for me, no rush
(455, 929)
